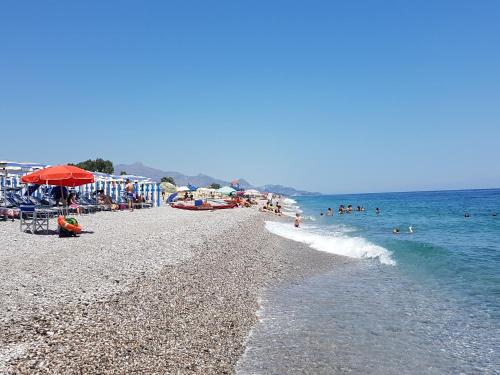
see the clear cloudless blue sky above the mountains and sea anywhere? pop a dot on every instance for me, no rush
(352, 96)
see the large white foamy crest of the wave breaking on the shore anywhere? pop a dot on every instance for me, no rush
(335, 242)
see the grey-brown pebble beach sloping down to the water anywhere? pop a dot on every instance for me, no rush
(191, 313)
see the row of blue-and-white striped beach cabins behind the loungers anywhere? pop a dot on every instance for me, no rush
(112, 185)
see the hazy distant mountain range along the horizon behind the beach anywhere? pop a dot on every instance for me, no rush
(140, 169)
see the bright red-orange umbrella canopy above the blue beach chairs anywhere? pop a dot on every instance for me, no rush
(61, 175)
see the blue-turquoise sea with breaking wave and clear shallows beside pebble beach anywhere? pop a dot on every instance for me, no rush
(425, 301)
